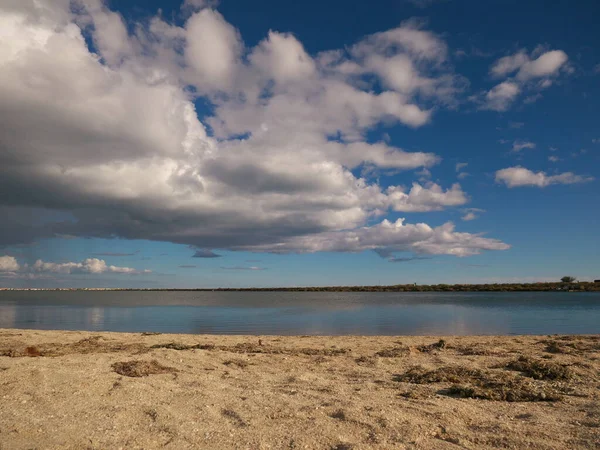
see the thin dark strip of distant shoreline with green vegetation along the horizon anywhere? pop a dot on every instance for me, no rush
(499, 287)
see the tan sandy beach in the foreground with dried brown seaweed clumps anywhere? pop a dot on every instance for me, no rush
(85, 390)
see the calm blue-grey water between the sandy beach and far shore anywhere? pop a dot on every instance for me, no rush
(304, 313)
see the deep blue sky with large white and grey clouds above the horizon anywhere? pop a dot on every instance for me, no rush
(197, 143)
